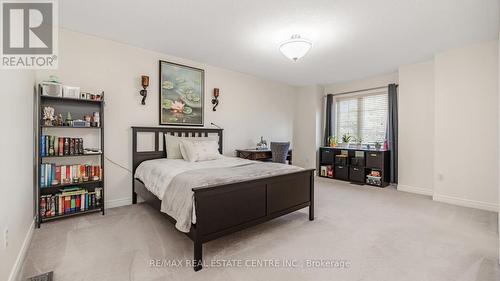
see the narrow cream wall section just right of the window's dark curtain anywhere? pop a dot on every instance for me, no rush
(416, 128)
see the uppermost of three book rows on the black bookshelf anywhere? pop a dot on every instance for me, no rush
(60, 146)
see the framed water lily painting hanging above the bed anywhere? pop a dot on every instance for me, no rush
(181, 94)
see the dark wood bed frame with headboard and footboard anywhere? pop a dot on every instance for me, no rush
(227, 208)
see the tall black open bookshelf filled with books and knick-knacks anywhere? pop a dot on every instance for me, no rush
(50, 199)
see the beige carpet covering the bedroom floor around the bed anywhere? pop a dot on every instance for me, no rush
(382, 234)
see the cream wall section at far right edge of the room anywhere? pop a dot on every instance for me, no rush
(466, 126)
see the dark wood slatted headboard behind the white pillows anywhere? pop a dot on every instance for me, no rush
(139, 156)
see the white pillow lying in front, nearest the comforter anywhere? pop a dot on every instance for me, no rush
(199, 150)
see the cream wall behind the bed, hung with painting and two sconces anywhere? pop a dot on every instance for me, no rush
(249, 107)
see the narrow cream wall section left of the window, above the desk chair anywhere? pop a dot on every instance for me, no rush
(308, 125)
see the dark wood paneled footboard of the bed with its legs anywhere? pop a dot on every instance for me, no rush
(224, 209)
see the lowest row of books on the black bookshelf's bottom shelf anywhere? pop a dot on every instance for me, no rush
(70, 201)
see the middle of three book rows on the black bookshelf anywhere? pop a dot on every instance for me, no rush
(52, 175)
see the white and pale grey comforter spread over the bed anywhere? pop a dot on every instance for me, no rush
(172, 180)
